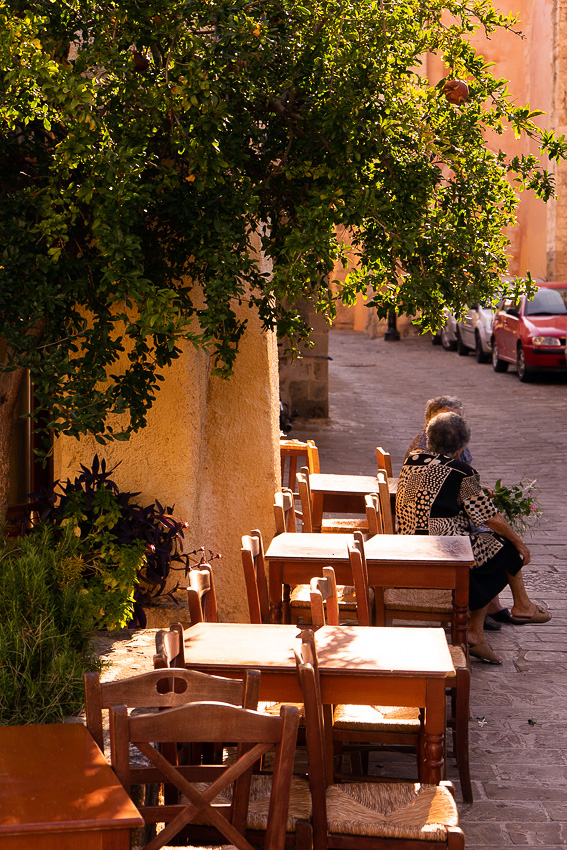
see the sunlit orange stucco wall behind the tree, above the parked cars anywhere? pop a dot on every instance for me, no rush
(537, 72)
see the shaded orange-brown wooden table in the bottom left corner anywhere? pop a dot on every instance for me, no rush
(57, 792)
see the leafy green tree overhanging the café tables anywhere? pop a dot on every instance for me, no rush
(145, 146)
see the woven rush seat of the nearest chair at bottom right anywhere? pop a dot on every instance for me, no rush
(391, 810)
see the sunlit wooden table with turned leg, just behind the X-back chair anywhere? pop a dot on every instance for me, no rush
(360, 665)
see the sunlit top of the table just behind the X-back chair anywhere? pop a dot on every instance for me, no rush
(359, 650)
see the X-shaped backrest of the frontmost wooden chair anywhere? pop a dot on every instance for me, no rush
(201, 722)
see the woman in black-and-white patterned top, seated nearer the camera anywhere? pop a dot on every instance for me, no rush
(438, 494)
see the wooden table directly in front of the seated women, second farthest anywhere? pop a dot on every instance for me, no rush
(393, 560)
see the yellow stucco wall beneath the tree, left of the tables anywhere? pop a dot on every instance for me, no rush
(211, 448)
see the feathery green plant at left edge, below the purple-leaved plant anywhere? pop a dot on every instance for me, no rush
(46, 627)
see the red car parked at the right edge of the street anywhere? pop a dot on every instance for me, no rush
(531, 335)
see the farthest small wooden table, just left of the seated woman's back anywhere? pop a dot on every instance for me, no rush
(343, 494)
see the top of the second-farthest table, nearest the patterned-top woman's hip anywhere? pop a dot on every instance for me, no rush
(386, 548)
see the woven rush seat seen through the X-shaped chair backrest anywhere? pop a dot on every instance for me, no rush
(300, 807)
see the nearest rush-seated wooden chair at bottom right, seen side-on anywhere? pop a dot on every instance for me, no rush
(369, 815)
